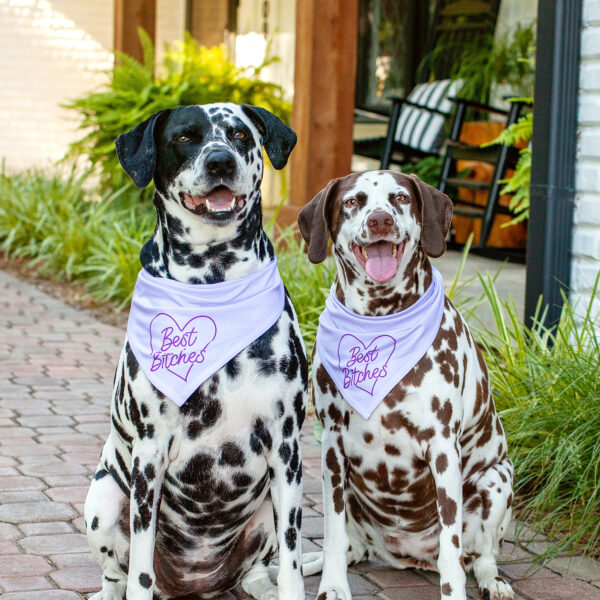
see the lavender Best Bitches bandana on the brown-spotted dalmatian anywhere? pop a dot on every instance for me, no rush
(367, 356)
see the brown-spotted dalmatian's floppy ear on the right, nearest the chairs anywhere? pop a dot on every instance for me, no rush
(436, 217)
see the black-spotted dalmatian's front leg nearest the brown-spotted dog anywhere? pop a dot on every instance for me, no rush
(286, 493)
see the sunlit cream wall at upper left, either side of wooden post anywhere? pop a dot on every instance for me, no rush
(52, 51)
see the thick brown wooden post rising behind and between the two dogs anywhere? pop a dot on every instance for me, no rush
(323, 112)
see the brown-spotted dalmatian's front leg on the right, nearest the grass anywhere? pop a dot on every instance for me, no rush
(445, 464)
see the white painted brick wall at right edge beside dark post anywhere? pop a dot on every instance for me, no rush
(586, 231)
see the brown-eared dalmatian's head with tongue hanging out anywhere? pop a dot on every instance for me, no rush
(377, 221)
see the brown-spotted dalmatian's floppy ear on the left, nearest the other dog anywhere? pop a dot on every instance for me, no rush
(314, 223)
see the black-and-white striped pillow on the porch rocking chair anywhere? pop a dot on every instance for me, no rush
(417, 127)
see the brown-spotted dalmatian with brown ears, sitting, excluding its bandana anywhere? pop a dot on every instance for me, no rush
(425, 481)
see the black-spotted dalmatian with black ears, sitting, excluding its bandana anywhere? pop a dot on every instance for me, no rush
(188, 502)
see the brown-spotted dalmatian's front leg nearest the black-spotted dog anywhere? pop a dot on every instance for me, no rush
(334, 581)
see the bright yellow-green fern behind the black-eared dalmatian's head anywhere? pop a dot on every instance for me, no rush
(189, 74)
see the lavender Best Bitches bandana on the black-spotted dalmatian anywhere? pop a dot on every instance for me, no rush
(183, 333)
